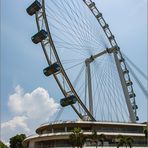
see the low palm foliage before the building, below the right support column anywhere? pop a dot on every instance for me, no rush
(123, 140)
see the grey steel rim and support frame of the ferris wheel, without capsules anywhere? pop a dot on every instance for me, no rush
(61, 76)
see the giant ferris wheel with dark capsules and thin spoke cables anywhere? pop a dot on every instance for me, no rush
(85, 60)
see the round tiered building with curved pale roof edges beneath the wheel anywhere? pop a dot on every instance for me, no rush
(56, 134)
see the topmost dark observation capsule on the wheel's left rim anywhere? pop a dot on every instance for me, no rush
(33, 8)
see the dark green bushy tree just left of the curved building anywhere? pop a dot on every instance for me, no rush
(16, 141)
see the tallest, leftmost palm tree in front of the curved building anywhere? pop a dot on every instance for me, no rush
(77, 138)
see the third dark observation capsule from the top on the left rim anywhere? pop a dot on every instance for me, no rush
(51, 69)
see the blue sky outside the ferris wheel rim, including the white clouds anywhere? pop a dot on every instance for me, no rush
(22, 61)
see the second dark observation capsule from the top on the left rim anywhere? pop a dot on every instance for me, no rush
(38, 37)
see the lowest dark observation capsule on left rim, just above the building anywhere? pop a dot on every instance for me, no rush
(68, 101)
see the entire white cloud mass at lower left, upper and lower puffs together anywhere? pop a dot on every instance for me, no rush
(30, 110)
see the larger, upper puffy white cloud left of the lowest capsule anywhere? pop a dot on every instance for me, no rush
(35, 105)
